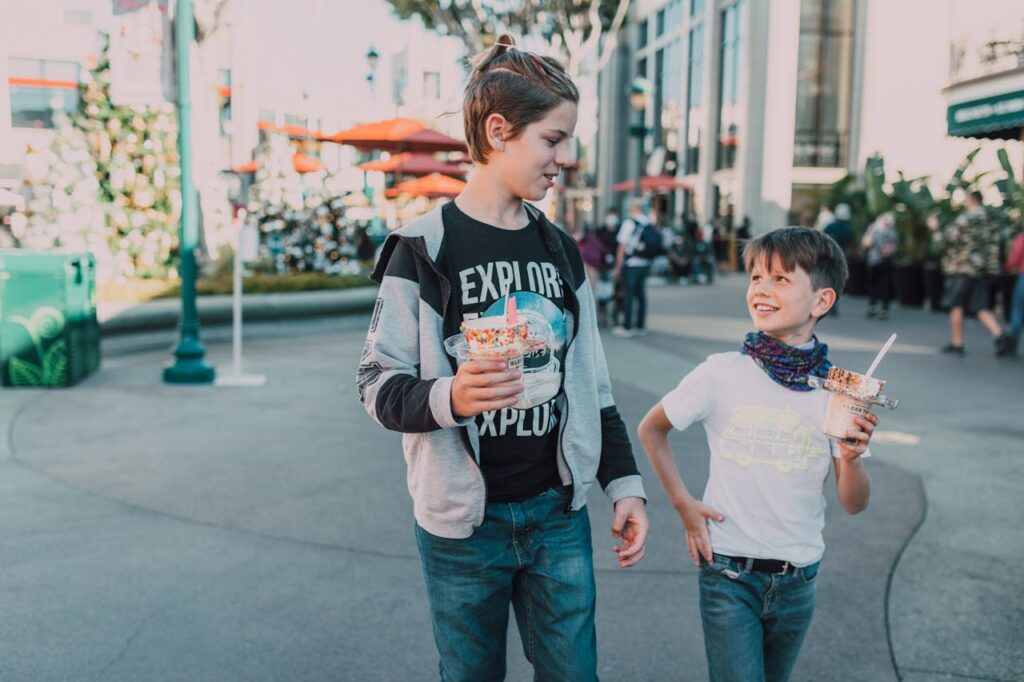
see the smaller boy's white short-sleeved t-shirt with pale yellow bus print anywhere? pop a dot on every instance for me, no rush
(770, 458)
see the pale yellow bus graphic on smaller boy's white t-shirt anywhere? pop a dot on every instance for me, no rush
(769, 436)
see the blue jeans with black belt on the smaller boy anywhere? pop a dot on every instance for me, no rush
(754, 623)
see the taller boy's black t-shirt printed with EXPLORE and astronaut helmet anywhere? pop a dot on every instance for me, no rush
(486, 266)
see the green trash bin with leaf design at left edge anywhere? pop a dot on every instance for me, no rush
(50, 335)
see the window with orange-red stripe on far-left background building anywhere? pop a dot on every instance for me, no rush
(39, 89)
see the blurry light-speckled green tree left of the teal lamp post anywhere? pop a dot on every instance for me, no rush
(126, 159)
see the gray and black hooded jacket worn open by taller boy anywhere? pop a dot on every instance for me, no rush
(405, 383)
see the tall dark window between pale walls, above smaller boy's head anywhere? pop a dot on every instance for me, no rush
(825, 75)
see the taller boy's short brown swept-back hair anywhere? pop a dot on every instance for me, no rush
(522, 87)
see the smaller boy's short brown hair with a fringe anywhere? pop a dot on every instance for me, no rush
(812, 250)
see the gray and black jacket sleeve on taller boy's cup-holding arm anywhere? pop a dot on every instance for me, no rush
(389, 378)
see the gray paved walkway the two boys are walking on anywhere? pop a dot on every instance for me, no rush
(157, 533)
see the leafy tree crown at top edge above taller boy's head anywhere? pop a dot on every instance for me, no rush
(572, 28)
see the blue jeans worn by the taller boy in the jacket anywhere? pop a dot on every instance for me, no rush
(534, 556)
